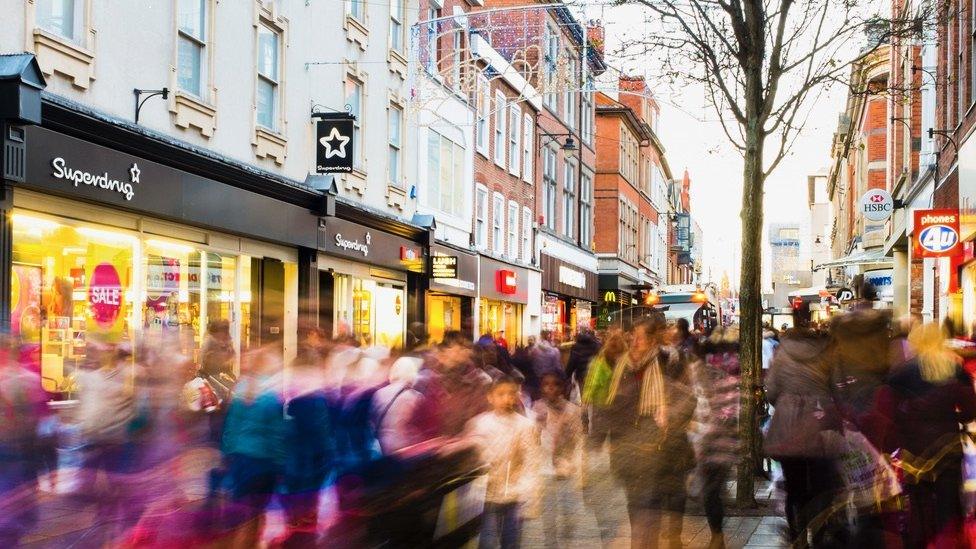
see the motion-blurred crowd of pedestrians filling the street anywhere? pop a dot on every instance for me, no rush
(867, 427)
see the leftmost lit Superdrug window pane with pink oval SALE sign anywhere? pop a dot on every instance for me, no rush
(71, 287)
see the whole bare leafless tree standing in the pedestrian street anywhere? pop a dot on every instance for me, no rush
(762, 64)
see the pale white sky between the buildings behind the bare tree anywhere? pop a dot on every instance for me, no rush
(693, 139)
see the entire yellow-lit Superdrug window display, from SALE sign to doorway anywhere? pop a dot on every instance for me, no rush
(75, 285)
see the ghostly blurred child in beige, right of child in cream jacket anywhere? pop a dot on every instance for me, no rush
(560, 427)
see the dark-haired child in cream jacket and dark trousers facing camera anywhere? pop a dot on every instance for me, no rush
(509, 447)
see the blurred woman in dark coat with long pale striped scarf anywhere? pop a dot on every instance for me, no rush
(635, 420)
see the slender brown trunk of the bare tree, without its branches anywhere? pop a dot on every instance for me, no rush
(750, 312)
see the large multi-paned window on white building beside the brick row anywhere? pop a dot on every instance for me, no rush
(445, 174)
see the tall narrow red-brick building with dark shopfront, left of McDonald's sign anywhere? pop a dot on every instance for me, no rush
(558, 57)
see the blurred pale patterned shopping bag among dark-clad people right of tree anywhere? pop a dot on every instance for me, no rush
(870, 479)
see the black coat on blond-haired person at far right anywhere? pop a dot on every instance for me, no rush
(926, 417)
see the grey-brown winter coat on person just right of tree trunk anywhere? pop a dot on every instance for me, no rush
(805, 422)
